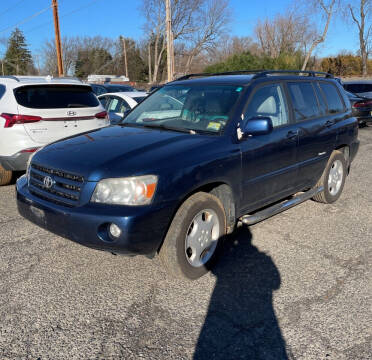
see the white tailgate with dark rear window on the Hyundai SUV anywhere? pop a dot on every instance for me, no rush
(65, 110)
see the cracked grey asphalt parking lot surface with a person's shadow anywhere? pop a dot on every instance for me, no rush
(297, 286)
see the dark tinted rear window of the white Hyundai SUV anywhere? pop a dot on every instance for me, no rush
(55, 96)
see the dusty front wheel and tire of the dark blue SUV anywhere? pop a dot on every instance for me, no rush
(197, 229)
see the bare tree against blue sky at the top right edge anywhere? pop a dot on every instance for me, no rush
(361, 13)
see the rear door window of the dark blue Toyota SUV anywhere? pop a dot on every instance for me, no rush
(304, 101)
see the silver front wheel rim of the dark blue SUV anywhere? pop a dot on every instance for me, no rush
(202, 237)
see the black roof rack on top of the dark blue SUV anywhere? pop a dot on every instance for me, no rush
(258, 73)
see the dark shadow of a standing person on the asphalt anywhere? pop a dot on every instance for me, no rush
(241, 322)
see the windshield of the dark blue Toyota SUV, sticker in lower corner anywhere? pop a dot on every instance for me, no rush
(187, 108)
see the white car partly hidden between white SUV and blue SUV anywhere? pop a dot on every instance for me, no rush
(119, 104)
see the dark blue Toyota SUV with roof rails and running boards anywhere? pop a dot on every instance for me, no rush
(241, 149)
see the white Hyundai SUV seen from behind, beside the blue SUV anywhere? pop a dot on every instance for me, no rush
(35, 111)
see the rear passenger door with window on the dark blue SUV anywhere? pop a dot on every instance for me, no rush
(316, 130)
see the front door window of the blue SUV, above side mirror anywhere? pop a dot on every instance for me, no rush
(269, 101)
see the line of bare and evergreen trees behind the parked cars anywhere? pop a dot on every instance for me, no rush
(202, 43)
